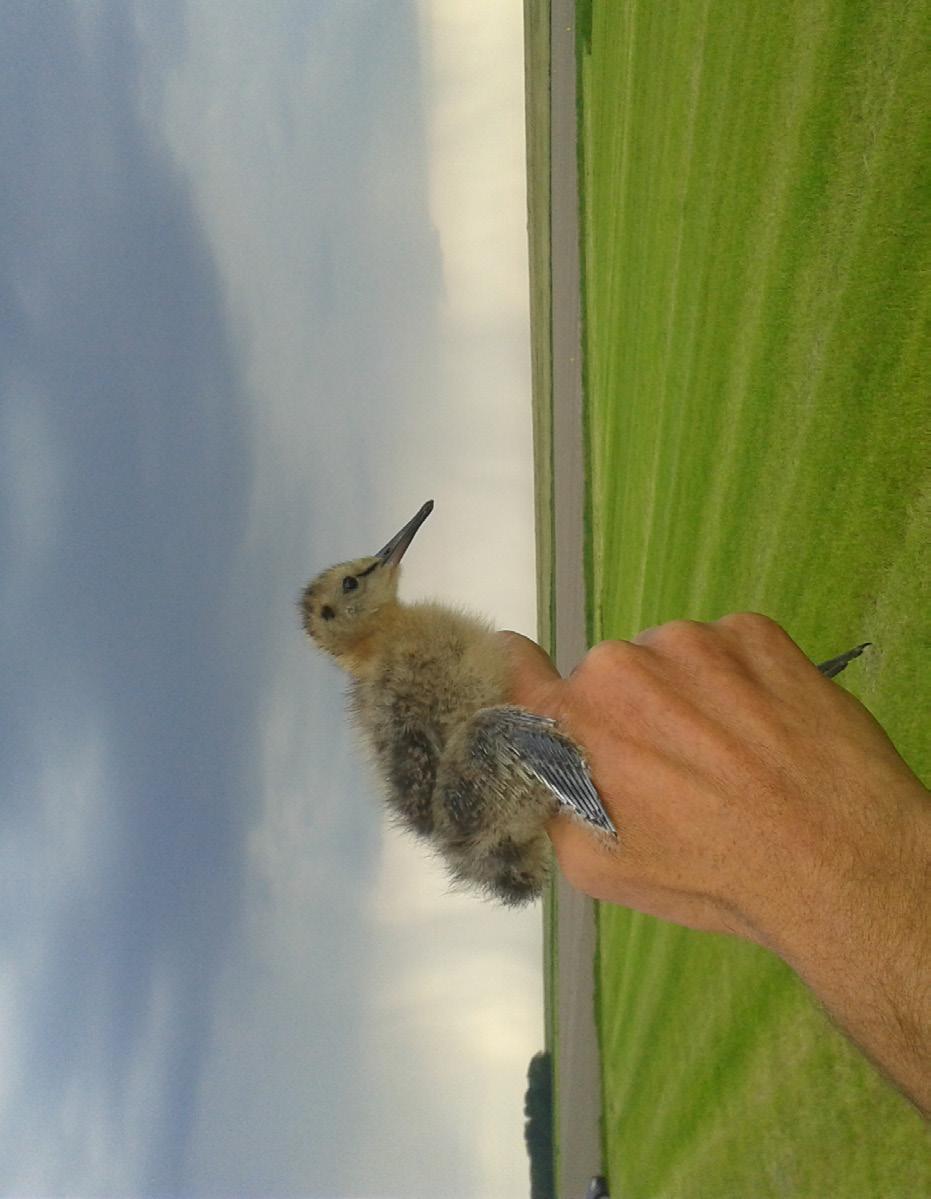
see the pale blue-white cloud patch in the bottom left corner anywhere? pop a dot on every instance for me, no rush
(52, 864)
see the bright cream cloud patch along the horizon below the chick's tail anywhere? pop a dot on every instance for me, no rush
(457, 1015)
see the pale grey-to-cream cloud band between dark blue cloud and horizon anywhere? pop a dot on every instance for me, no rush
(355, 437)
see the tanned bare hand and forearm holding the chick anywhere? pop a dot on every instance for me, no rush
(754, 797)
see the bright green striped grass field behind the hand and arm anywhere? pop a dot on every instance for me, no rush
(758, 281)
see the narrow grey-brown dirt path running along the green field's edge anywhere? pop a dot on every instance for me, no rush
(579, 1068)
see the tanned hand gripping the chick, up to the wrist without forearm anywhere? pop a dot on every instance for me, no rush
(742, 782)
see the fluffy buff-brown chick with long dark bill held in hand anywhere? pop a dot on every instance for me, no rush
(474, 775)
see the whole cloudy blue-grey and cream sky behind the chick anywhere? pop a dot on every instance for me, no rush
(262, 293)
